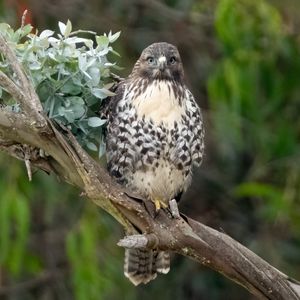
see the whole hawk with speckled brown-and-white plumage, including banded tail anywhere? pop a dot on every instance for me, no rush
(154, 138)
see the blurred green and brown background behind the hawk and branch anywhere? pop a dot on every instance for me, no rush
(242, 62)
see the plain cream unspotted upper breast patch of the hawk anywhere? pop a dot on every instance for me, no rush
(158, 103)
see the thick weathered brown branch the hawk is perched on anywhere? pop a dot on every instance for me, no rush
(182, 235)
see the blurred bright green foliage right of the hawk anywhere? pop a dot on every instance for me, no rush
(254, 98)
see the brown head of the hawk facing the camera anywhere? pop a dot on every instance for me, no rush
(159, 61)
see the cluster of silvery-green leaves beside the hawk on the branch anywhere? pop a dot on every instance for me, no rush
(71, 74)
